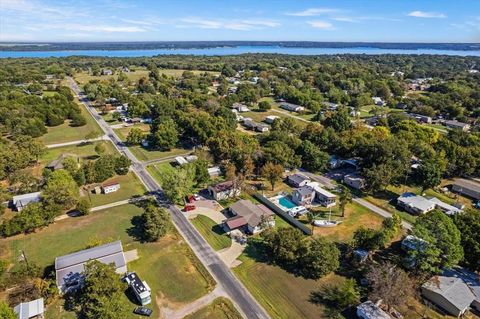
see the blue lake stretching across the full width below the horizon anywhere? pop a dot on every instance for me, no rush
(229, 51)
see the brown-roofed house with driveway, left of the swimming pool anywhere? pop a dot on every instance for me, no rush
(249, 217)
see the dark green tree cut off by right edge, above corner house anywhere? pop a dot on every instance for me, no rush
(468, 223)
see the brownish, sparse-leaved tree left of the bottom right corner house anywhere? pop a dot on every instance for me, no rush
(390, 284)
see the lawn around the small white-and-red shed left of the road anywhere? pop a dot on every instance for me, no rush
(130, 186)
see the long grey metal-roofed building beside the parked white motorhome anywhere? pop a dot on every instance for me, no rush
(69, 268)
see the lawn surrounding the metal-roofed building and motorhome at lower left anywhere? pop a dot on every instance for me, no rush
(172, 271)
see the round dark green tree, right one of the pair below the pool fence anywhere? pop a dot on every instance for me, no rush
(318, 258)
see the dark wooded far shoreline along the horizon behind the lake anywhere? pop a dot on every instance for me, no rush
(184, 45)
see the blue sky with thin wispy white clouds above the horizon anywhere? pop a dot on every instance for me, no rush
(276, 20)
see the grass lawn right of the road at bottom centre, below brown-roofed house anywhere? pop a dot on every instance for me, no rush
(281, 294)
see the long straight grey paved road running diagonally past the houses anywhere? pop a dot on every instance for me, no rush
(234, 289)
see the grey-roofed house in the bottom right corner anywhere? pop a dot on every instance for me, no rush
(454, 291)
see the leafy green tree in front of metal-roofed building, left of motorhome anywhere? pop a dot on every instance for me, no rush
(102, 293)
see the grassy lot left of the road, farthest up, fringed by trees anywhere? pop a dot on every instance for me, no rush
(66, 133)
